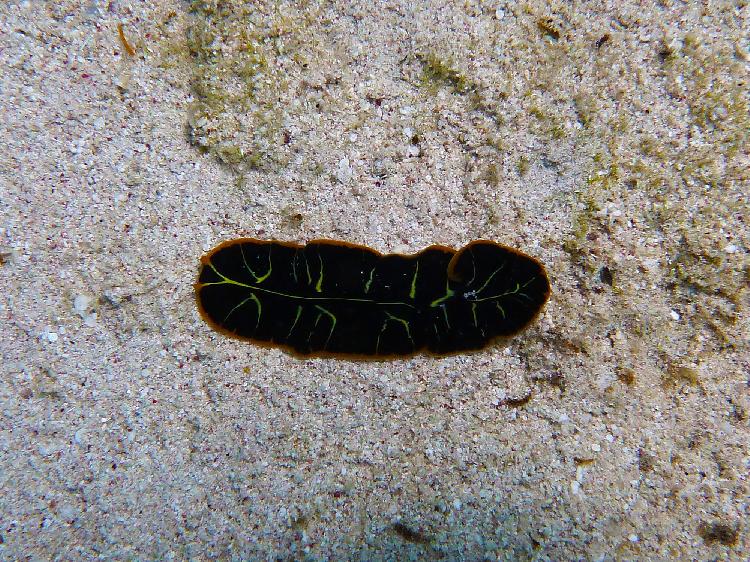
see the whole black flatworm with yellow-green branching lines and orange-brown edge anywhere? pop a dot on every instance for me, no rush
(330, 298)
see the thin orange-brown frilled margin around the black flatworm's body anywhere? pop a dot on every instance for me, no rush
(206, 258)
